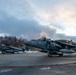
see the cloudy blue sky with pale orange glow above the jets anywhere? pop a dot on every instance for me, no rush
(36, 18)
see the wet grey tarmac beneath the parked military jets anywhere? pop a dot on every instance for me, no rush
(37, 63)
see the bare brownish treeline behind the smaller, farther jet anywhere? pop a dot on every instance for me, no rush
(12, 41)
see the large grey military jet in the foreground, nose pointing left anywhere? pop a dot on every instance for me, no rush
(52, 47)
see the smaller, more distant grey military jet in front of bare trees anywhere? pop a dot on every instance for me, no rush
(10, 49)
